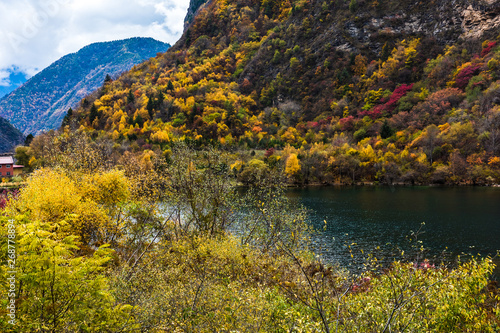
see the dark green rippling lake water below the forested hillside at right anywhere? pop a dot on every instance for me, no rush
(457, 220)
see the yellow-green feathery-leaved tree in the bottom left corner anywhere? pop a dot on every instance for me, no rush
(58, 291)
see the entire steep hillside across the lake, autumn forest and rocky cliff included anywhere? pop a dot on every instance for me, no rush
(357, 91)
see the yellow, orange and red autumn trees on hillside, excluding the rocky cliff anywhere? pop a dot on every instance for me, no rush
(211, 90)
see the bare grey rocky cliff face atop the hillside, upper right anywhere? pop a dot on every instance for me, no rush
(373, 22)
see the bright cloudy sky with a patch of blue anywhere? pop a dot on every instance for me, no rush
(35, 33)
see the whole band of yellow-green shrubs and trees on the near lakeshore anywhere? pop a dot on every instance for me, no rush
(168, 244)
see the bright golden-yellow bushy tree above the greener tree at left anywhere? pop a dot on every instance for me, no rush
(84, 204)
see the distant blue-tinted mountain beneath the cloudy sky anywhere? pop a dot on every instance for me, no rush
(42, 102)
